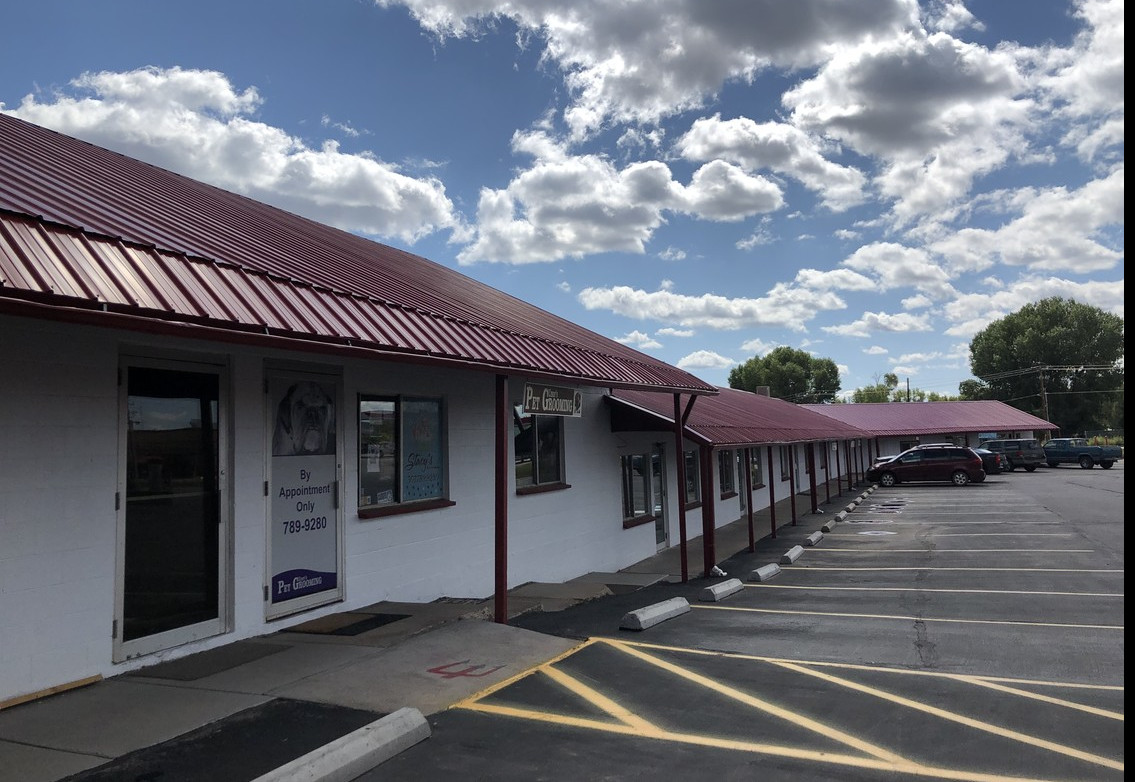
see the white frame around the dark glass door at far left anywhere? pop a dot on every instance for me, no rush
(123, 651)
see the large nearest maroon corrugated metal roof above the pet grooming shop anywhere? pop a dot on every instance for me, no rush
(91, 230)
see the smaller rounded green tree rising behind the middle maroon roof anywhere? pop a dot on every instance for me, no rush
(791, 375)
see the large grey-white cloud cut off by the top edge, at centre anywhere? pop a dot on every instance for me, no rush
(624, 63)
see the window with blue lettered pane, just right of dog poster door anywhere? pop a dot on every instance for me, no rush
(401, 451)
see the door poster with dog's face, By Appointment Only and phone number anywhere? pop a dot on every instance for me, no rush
(305, 518)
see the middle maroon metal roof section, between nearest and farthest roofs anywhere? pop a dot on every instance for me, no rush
(737, 418)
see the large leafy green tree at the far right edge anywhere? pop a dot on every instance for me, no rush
(1056, 359)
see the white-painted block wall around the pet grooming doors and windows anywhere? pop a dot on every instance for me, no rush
(58, 524)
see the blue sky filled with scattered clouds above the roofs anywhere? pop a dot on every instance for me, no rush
(871, 181)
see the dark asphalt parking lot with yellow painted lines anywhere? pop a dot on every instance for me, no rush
(937, 633)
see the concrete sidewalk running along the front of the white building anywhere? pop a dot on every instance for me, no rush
(243, 710)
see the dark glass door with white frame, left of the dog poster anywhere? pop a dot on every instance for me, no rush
(171, 511)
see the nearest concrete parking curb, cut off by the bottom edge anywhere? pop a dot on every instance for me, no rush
(357, 753)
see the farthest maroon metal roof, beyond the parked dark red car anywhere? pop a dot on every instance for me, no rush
(896, 419)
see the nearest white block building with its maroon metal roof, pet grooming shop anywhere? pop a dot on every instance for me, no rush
(221, 419)
